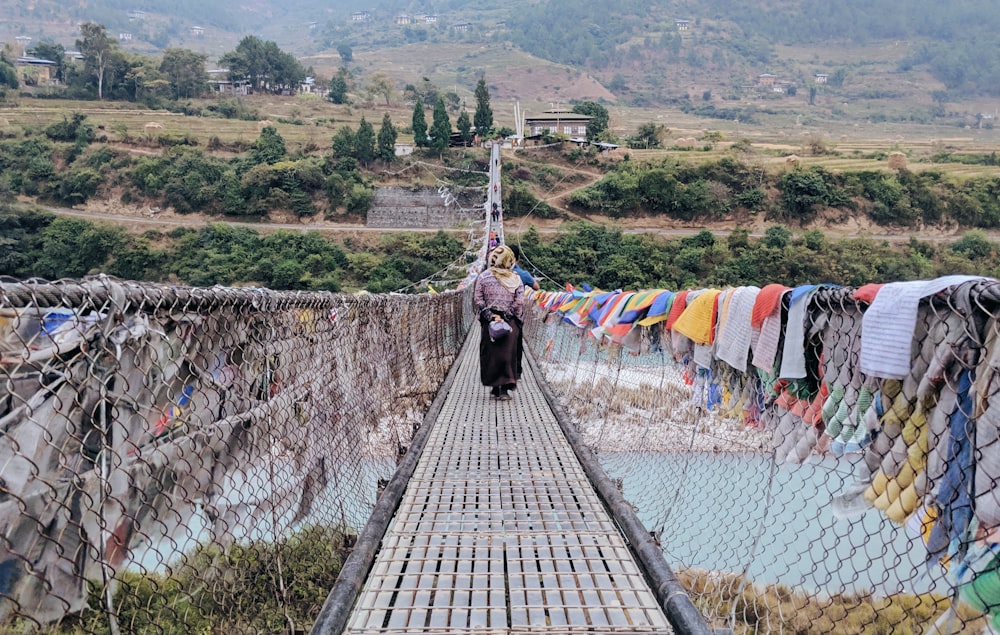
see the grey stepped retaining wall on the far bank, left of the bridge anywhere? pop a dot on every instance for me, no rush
(406, 208)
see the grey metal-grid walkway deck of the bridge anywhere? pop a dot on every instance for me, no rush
(500, 531)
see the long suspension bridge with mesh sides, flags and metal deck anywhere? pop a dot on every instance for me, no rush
(249, 461)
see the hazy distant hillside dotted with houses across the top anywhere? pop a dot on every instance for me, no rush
(907, 60)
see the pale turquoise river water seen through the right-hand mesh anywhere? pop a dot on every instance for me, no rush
(734, 512)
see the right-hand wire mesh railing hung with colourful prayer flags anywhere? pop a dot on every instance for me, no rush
(812, 460)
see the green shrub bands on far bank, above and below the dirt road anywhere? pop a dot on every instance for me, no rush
(69, 162)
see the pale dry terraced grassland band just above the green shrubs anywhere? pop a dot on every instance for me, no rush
(307, 122)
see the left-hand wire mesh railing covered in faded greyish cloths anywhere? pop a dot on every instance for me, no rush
(181, 460)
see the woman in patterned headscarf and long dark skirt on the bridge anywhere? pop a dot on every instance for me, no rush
(499, 296)
